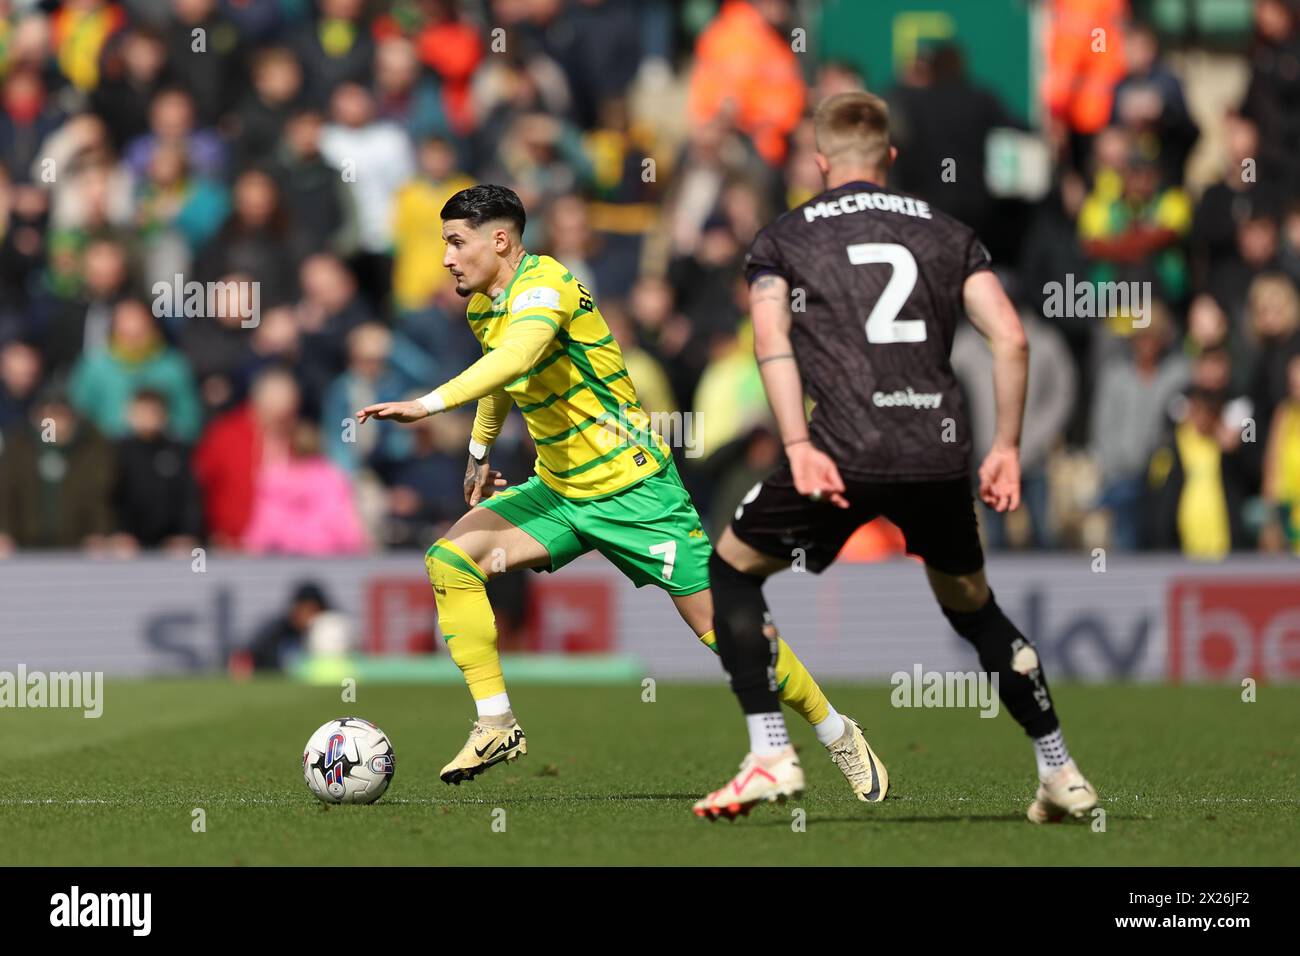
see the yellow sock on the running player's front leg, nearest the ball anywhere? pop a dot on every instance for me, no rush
(465, 613)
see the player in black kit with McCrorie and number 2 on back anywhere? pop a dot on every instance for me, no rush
(883, 280)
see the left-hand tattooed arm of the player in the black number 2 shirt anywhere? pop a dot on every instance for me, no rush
(814, 471)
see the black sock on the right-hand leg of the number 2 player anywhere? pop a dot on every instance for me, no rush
(999, 642)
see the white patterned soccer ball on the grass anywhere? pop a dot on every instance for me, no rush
(349, 762)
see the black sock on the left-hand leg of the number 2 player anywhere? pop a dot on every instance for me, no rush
(747, 639)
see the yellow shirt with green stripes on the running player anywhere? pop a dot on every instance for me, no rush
(593, 438)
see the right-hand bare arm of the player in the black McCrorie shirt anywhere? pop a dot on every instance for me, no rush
(998, 321)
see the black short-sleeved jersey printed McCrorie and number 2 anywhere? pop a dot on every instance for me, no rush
(876, 295)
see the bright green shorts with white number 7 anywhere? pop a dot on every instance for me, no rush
(651, 531)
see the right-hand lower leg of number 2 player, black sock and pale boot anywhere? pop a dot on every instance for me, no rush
(969, 605)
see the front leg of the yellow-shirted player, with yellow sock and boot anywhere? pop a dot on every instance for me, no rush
(480, 546)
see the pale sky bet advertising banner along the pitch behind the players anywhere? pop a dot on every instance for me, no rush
(1142, 621)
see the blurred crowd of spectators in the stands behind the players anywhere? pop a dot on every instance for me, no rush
(292, 159)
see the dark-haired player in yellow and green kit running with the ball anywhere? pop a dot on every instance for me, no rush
(604, 481)
